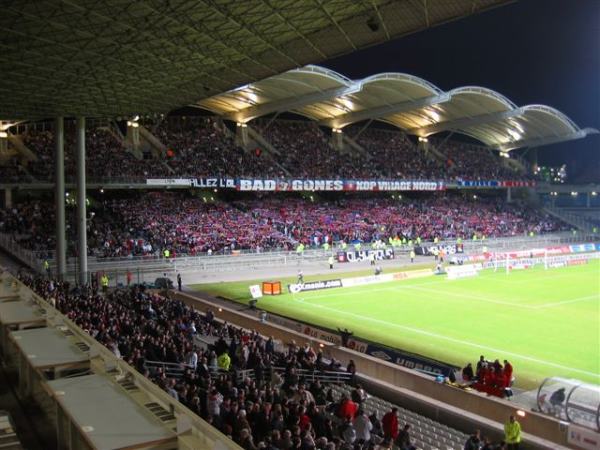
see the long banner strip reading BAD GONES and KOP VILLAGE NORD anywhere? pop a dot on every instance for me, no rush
(260, 184)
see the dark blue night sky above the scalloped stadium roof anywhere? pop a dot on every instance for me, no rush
(532, 51)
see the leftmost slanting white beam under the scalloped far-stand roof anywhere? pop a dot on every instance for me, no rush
(290, 103)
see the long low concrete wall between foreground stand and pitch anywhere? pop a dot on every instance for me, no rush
(455, 406)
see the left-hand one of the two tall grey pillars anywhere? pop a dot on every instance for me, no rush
(59, 198)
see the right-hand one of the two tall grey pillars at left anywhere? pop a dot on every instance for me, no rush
(81, 204)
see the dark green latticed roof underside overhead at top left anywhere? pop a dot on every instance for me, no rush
(113, 58)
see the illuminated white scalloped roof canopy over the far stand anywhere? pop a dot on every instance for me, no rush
(408, 102)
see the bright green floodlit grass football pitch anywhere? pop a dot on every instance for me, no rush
(546, 322)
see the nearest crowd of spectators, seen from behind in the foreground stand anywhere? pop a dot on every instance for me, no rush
(270, 410)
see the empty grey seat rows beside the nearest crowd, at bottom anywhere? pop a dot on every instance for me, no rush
(426, 434)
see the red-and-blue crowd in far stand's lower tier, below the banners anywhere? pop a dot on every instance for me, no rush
(148, 224)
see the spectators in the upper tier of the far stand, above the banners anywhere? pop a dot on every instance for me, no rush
(200, 147)
